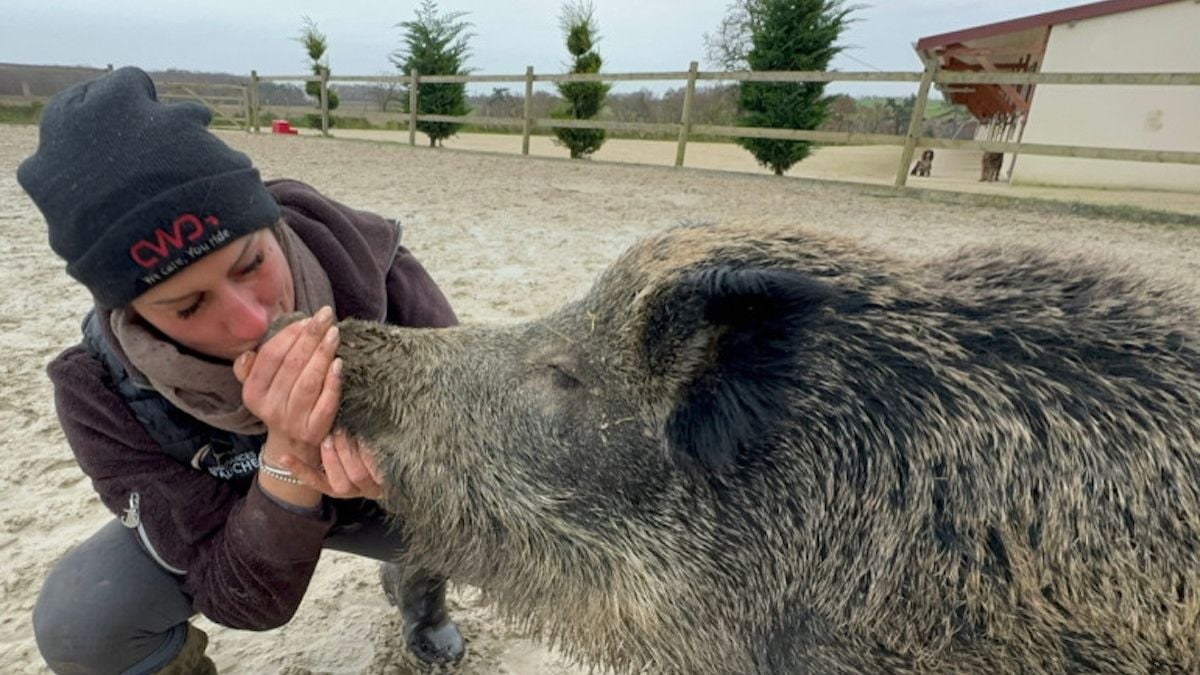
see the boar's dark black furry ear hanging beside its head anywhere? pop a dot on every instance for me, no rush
(730, 338)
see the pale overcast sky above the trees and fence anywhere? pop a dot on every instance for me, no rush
(637, 35)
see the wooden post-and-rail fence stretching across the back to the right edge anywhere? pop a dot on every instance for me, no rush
(685, 129)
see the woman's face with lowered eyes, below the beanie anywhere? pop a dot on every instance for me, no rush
(223, 304)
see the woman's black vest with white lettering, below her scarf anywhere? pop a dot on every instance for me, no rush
(225, 455)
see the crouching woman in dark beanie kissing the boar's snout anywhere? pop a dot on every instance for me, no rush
(218, 453)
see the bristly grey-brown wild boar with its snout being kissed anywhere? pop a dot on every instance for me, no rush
(752, 451)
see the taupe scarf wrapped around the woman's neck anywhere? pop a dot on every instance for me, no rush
(207, 390)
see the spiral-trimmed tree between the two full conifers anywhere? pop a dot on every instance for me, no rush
(584, 100)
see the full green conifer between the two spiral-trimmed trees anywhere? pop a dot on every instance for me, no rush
(436, 45)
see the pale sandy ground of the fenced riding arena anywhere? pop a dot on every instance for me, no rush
(508, 238)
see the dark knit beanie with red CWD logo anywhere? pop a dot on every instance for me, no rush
(135, 190)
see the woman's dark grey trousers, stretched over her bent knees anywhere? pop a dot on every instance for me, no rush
(107, 607)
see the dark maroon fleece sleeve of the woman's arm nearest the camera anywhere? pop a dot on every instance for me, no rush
(247, 561)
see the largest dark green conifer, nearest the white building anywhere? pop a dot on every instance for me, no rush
(790, 35)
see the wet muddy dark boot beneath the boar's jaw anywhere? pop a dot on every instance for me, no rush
(422, 599)
